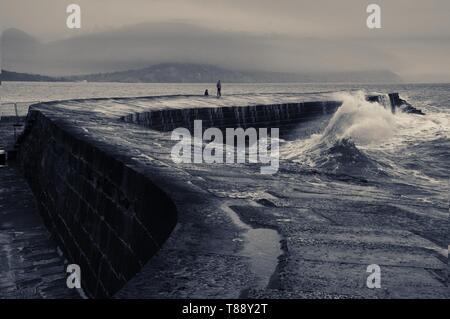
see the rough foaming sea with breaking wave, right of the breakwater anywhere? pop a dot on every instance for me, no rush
(395, 157)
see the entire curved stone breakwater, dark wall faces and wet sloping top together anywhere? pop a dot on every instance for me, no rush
(117, 205)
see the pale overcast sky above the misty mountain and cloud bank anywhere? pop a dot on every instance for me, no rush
(325, 18)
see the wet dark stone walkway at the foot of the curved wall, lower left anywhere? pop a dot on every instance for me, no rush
(30, 266)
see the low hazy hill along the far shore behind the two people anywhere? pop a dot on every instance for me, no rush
(197, 73)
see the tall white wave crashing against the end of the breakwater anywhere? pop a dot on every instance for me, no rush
(358, 123)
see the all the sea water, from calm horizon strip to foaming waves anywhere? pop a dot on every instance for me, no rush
(401, 155)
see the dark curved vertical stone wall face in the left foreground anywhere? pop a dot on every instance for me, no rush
(107, 218)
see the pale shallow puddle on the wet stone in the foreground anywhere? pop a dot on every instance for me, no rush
(261, 245)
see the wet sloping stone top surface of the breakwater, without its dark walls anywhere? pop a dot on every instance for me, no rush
(330, 233)
